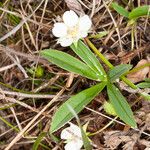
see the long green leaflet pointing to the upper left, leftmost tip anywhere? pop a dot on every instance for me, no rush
(69, 63)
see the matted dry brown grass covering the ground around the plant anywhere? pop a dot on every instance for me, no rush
(28, 101)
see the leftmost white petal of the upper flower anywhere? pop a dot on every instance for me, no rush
(59, 30)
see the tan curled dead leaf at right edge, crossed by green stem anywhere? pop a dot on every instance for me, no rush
(141, 74)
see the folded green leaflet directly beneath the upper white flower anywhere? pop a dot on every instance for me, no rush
(89, 58)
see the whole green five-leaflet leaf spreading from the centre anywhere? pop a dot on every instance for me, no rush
(92, 69)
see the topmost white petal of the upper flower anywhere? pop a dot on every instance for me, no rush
(70, 18)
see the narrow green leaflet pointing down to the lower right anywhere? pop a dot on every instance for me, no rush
(120, 105)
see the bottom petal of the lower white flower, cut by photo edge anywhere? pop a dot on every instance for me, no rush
(73, 145)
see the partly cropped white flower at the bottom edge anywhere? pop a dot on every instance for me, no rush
(73, 137)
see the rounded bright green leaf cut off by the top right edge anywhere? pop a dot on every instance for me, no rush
(139, 12)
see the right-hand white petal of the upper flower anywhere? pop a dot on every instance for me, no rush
(85, 23)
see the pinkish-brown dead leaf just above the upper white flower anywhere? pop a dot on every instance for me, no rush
(75, 6)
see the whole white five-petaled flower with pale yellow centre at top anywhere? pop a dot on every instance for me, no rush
(72, 29)
